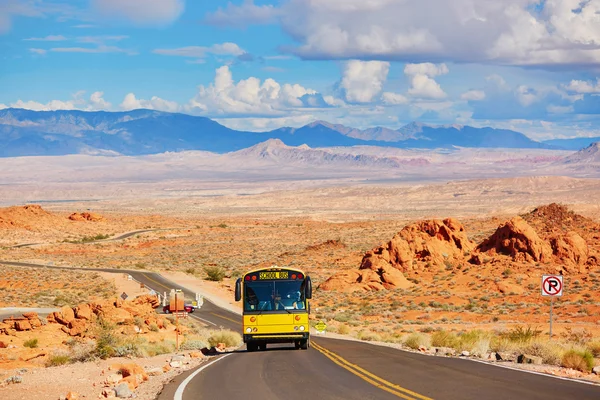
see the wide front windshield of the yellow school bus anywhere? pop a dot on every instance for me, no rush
(274, 296)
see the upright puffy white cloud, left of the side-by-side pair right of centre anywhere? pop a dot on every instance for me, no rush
(363, 80)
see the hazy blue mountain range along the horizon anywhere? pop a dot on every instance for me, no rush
(139, 132)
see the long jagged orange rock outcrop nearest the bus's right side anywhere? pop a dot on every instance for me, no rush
(430, 242)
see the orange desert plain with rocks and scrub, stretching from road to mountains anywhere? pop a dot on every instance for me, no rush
(454, 243)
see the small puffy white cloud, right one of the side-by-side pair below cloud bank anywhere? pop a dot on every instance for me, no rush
(423, 86)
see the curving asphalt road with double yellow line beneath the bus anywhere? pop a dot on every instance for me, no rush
(341, 369)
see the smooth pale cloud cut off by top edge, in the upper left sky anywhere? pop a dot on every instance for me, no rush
(141, 12)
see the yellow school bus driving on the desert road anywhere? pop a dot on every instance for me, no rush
(276, 307)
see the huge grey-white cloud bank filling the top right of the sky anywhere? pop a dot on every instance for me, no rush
(515, 32)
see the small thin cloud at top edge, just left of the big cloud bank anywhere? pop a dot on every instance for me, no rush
(243, 15)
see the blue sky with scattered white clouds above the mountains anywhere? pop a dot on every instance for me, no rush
(528, 65)
